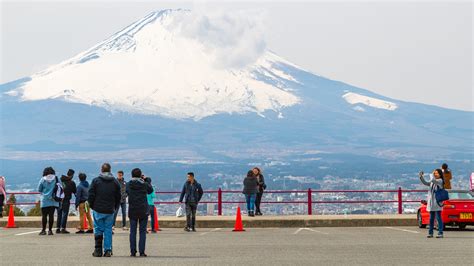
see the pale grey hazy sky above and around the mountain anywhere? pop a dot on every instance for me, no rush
(414, 51)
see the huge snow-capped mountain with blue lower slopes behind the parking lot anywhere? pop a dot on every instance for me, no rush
(173, 85)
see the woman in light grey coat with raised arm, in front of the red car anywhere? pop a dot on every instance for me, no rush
(434, 207)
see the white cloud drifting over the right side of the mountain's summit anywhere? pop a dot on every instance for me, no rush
(235, 39)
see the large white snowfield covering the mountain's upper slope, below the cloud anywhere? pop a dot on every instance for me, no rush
(154, 67)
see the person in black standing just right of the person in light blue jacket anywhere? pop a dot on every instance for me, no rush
(69, 187)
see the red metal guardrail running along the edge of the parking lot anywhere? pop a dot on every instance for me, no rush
(309, 195)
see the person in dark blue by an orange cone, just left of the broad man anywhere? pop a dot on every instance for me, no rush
(82, 194)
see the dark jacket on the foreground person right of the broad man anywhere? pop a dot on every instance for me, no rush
(137, 190)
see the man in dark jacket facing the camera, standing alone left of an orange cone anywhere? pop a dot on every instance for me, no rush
(192, 193)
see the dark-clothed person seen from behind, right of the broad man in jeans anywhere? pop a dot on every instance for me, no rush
(137, 190)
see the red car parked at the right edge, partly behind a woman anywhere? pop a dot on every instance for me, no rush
(457, 211)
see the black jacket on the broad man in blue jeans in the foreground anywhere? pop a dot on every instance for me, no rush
(104, 194)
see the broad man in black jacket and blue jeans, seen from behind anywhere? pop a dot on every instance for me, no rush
(104, 198)
